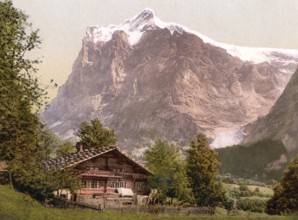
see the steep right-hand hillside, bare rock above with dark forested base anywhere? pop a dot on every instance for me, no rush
(272, 143)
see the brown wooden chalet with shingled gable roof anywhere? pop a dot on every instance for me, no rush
(104, 173)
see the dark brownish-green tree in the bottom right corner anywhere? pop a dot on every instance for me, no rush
(285, 198)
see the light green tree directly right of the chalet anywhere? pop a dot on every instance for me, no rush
(164, 160)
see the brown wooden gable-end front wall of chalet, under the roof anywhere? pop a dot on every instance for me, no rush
(107, 172)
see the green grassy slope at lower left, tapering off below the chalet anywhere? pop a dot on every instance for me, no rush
(18, 206)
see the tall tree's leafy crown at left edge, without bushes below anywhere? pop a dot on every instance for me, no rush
(19, 90)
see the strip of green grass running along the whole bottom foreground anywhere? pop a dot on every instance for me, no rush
(18, 206)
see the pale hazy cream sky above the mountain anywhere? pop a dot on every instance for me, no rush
(62, 24)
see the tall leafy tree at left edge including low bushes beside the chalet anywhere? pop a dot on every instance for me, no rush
(22, 138)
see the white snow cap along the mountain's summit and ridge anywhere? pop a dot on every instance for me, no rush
(146, 19)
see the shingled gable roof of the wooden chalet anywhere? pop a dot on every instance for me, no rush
(73, 159)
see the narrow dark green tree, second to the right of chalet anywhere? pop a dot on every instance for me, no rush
(202, 169)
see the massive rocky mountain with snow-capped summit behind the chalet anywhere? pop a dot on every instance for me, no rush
(147, 79)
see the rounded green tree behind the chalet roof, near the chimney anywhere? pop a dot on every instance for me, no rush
(93, 134)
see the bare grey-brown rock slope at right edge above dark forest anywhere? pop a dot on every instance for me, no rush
(282, 121)
